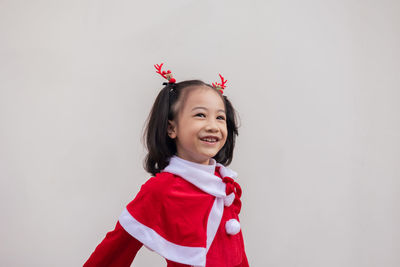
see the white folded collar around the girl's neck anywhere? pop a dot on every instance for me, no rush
(201, 175)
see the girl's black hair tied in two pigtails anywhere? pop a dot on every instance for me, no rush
(160, 146)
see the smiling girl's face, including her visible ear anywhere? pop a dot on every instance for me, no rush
(199, 128)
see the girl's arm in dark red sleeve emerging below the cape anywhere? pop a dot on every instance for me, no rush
(118, 248)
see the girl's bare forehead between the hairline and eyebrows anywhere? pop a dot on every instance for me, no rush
(203, 96)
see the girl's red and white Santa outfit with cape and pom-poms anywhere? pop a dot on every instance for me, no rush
(188, 214)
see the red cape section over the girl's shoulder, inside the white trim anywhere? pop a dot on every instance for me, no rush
(174, 208)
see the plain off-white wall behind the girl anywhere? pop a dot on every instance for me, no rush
(316, 84)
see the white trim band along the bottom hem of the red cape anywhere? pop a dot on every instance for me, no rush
(182, 254)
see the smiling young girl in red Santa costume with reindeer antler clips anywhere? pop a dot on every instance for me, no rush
(188, 212)
